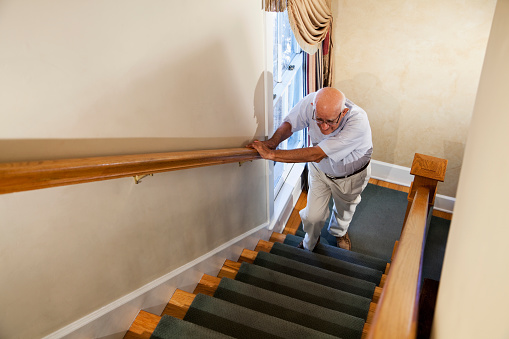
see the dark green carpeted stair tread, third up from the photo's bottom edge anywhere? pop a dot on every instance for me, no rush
(290, 309)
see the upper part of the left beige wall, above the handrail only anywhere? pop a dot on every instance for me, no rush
(162, 73)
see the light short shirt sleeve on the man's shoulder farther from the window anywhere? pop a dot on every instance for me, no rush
(352, 136)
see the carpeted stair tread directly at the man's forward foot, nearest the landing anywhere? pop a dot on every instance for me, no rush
(339, 253)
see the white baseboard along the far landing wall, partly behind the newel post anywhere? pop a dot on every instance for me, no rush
(401, 175)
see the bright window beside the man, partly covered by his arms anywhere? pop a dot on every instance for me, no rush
(288, 87)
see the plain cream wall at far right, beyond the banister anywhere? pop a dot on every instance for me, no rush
(473, 289)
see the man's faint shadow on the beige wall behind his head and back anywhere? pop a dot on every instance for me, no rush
(383, 110)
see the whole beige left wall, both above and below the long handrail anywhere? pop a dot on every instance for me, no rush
(86, 78)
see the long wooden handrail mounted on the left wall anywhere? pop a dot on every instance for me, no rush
(24, 176)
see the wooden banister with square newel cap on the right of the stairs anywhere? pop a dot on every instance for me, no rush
(397, 311)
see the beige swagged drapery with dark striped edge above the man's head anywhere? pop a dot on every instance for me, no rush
(311, 23)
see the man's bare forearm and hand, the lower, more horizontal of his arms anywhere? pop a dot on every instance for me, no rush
(308, 154)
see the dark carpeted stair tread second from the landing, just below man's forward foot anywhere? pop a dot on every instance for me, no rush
(328, 263)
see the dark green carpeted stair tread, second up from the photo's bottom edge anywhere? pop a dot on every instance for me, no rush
(241, 322)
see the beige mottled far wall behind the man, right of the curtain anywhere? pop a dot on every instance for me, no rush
(414, 66)
